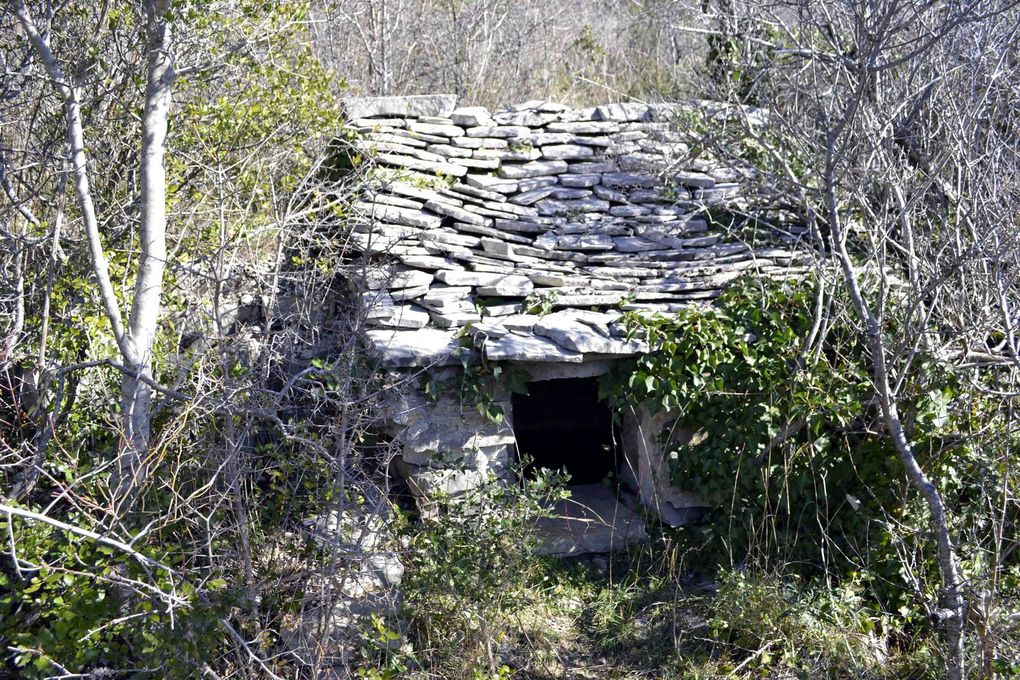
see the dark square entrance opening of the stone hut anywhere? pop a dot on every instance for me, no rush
(563, 426)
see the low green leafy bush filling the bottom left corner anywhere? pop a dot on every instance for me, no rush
(68, 607)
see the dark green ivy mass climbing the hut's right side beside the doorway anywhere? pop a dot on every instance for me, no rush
(778, 435)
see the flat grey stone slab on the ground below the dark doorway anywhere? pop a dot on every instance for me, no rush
(592, 520)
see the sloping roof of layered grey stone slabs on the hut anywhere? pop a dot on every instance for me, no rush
(471, 220)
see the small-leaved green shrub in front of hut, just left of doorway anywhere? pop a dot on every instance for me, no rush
(471, 569)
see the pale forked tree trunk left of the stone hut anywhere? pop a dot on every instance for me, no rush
(136, 341)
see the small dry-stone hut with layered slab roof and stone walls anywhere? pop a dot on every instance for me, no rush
(520, 238)
